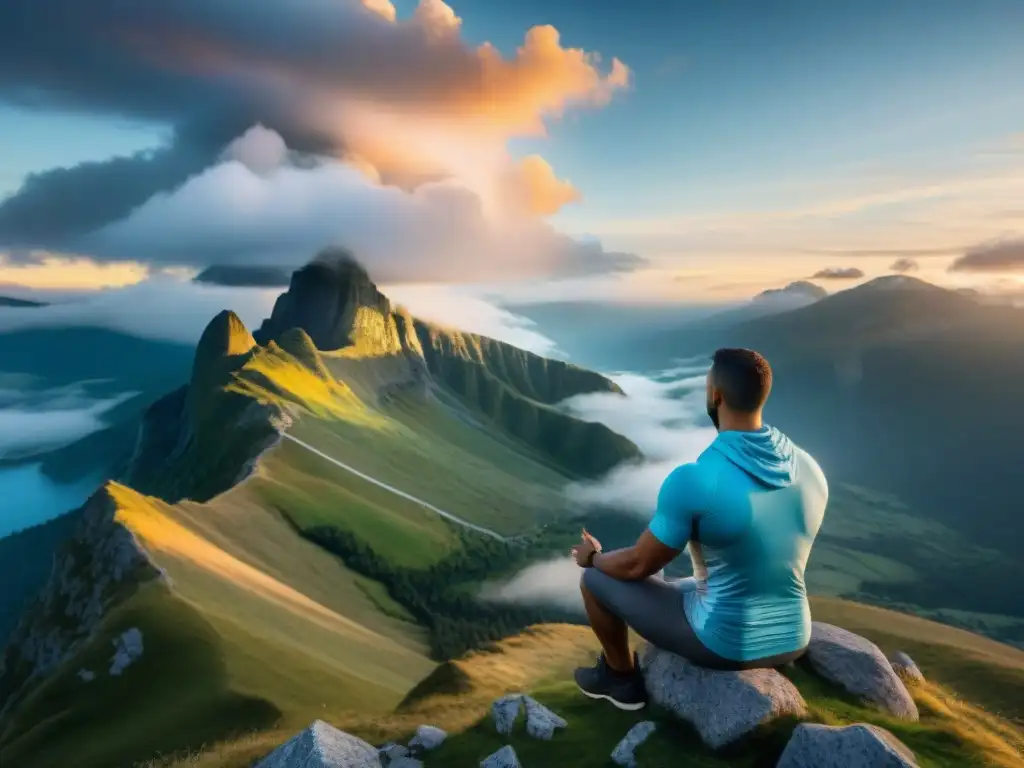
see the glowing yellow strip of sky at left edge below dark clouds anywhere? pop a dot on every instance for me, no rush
(71, 274)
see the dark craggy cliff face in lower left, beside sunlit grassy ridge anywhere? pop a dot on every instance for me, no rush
(91, 575)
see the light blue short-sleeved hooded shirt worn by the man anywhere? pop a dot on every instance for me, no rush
(755, 502)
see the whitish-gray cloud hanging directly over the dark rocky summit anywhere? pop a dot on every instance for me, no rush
(234, 214)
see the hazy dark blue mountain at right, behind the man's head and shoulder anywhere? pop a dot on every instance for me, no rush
(903, 387)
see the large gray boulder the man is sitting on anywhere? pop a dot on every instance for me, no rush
(723, 707)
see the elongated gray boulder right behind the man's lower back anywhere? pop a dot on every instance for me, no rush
(859, 666)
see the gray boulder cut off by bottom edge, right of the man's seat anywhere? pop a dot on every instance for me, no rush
(815, 746)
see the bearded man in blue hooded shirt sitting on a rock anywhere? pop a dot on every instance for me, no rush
(749, 508)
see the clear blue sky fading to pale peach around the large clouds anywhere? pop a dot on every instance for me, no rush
(738, 109)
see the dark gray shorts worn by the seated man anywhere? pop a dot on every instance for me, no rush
(654, 609)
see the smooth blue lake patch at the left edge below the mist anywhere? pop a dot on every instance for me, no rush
(28, 497)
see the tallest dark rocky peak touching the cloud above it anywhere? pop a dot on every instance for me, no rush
(326, 298)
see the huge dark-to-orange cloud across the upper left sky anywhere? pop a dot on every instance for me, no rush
(407, 98)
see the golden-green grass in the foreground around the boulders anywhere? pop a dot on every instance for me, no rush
(457, 697)
